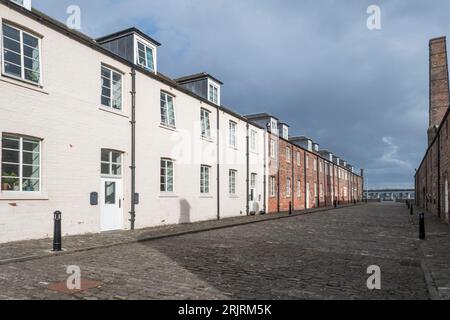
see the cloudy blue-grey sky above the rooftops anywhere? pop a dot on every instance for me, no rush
(313, 63)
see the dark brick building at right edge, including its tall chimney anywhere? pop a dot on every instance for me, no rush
(431, 179)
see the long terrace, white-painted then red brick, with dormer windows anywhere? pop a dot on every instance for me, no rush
(93, 129)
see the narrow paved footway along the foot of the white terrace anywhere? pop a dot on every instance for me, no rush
(37, 249)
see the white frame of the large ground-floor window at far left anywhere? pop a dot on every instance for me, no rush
(21, 164)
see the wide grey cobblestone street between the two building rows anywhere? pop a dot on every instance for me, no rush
(322, 255)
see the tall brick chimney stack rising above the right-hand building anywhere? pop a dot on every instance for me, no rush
(439, 85)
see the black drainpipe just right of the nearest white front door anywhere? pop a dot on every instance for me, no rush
(133, 149)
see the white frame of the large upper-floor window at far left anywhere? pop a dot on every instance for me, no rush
(2, 47)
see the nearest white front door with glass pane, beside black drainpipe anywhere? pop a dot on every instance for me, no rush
(111, 204)
